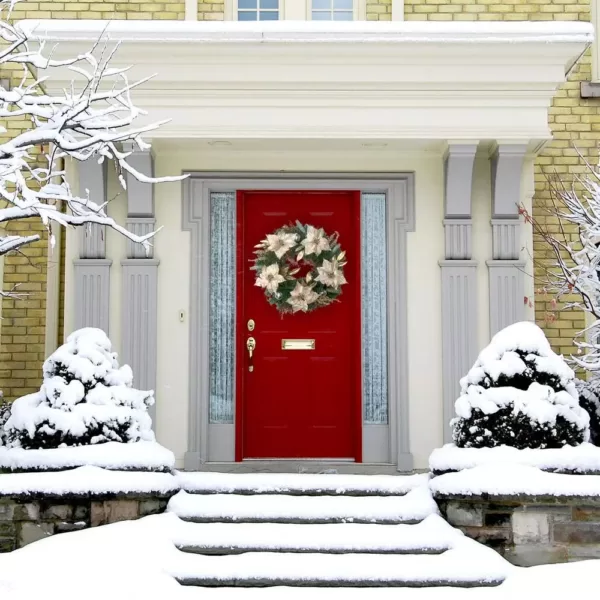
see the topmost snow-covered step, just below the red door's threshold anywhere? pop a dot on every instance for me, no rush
(299, 484)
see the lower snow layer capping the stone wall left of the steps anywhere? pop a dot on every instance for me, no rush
(85, 481)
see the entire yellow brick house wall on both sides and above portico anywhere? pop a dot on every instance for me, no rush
(575, 124)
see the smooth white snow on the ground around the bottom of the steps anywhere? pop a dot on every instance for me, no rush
(133, 560)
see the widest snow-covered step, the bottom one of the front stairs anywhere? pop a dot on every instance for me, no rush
(452, 568)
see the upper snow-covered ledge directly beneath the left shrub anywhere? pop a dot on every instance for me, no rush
(112, 455)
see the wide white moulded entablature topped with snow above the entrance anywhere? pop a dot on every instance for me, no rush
(398, 80)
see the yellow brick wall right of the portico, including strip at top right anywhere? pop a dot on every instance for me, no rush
(575, 124)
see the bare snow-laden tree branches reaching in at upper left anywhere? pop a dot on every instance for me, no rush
(92, 120)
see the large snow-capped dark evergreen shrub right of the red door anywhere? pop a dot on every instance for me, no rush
(519, 393)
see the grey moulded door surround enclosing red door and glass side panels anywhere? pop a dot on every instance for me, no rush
(212, 446)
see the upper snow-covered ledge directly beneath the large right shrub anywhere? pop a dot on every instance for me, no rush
(578, 459)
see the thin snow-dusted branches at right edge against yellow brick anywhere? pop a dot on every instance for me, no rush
(573, 234)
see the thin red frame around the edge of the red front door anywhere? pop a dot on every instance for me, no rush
(241, 334)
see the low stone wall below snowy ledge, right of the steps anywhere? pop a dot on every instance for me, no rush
(529, 531)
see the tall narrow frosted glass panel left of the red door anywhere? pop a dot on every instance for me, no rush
(222, 307)
